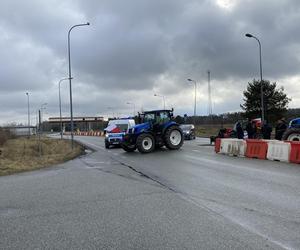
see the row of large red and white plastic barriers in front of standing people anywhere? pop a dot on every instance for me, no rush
(259, 149)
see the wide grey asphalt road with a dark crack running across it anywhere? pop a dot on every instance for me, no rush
(186, 199)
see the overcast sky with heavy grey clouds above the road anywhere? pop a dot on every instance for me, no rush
(136, 48)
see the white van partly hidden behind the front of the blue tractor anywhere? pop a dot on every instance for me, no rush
(116, 130)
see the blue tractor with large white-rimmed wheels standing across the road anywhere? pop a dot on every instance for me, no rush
(156, 129)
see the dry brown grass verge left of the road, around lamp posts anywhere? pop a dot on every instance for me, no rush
(22, 154)
